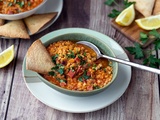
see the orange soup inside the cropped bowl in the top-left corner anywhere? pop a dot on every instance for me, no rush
(17, 6)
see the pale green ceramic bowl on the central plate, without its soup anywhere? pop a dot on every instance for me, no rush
(82, 37)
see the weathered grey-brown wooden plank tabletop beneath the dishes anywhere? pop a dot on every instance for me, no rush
(139, 102)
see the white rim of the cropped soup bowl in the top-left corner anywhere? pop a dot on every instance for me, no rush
(21, 13)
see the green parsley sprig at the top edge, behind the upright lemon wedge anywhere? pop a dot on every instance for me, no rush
(114, 13)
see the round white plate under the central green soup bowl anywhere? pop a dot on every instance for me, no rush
(75, 104)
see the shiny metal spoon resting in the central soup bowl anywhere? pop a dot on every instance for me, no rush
(154, 70)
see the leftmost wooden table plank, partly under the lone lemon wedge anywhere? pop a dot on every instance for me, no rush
(6, 78)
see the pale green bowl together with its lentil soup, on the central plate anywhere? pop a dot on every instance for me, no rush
(77, 72)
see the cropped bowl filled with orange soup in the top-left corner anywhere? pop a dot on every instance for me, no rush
(19, 9)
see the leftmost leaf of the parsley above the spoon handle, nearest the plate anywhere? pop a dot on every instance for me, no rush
(136, 51)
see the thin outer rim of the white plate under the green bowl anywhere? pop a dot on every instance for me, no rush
(75, 30)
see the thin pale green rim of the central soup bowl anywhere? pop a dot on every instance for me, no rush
(74, 91)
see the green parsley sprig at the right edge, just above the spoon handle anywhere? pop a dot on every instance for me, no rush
(139, 53)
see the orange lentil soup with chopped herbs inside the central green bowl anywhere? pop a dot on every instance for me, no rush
(76, 67)
